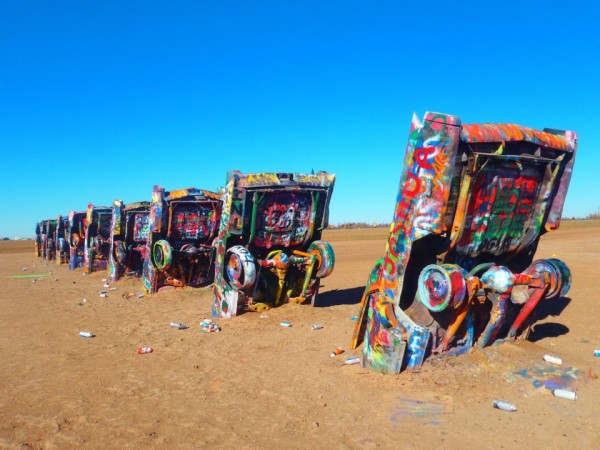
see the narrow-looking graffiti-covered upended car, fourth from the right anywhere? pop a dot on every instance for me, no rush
(128, 234)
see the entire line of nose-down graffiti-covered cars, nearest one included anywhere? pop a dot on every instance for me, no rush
(459, 268)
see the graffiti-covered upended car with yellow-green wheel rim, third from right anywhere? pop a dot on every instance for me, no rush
(179, 249)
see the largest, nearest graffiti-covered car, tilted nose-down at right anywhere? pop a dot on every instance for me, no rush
(459, 266)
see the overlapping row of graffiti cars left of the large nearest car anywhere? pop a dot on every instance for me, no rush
(258, 239)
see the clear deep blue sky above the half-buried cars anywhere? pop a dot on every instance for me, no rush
(102, 100)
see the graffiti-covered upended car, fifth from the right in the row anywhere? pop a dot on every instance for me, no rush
(97, 238)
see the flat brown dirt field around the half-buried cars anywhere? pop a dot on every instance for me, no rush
(258, 385)
